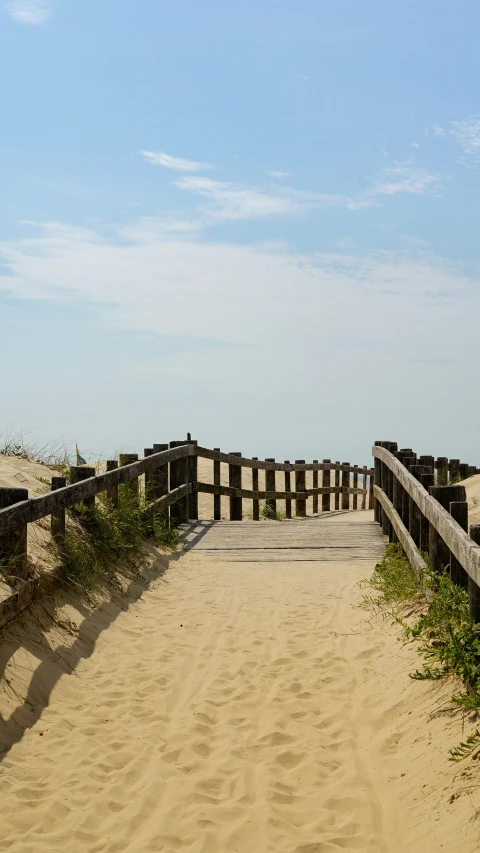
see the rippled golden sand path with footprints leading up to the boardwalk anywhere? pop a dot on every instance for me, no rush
(239, 708)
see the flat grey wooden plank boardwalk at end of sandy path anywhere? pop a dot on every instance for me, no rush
(329, 537)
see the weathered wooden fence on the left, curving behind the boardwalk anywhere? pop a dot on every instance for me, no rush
(171, 485)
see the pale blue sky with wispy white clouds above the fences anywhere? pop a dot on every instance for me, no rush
(254, 221)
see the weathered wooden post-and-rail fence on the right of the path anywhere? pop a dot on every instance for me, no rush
(427, 512)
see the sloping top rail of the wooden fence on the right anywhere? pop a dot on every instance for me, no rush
(455, 537)
